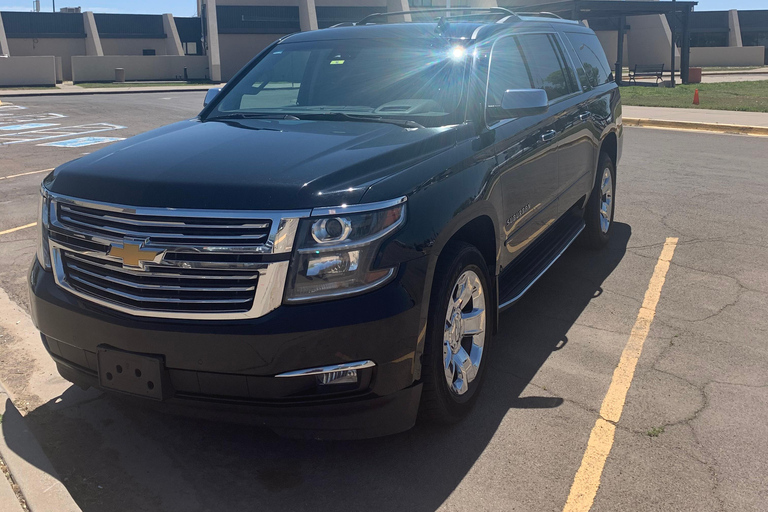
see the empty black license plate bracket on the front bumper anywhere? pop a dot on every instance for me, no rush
(127, 372)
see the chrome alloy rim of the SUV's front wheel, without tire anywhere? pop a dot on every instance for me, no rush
(464, 332)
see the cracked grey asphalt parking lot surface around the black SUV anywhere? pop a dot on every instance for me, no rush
(694, 423)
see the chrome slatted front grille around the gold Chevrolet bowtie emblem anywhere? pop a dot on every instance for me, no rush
(203, 264)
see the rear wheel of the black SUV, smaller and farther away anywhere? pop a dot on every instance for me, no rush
(598, 215)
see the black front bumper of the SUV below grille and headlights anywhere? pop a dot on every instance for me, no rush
(228, 367)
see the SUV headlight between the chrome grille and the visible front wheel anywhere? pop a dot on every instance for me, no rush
(335, 252)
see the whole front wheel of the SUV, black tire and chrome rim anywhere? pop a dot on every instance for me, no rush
(457, 343)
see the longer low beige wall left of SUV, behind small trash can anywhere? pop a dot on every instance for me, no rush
(102, 69)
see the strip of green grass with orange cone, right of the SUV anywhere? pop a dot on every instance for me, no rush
(742, 96)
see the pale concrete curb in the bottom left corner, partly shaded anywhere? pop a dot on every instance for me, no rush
(31, 469)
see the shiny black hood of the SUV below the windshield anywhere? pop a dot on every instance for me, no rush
(249, 164)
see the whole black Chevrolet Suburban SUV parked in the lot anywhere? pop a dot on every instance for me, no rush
(326, 248)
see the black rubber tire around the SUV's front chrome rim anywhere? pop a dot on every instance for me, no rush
(438, 402)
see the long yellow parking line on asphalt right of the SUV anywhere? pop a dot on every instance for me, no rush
(587, 479)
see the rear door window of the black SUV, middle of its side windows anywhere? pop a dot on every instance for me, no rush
(545, 64)
